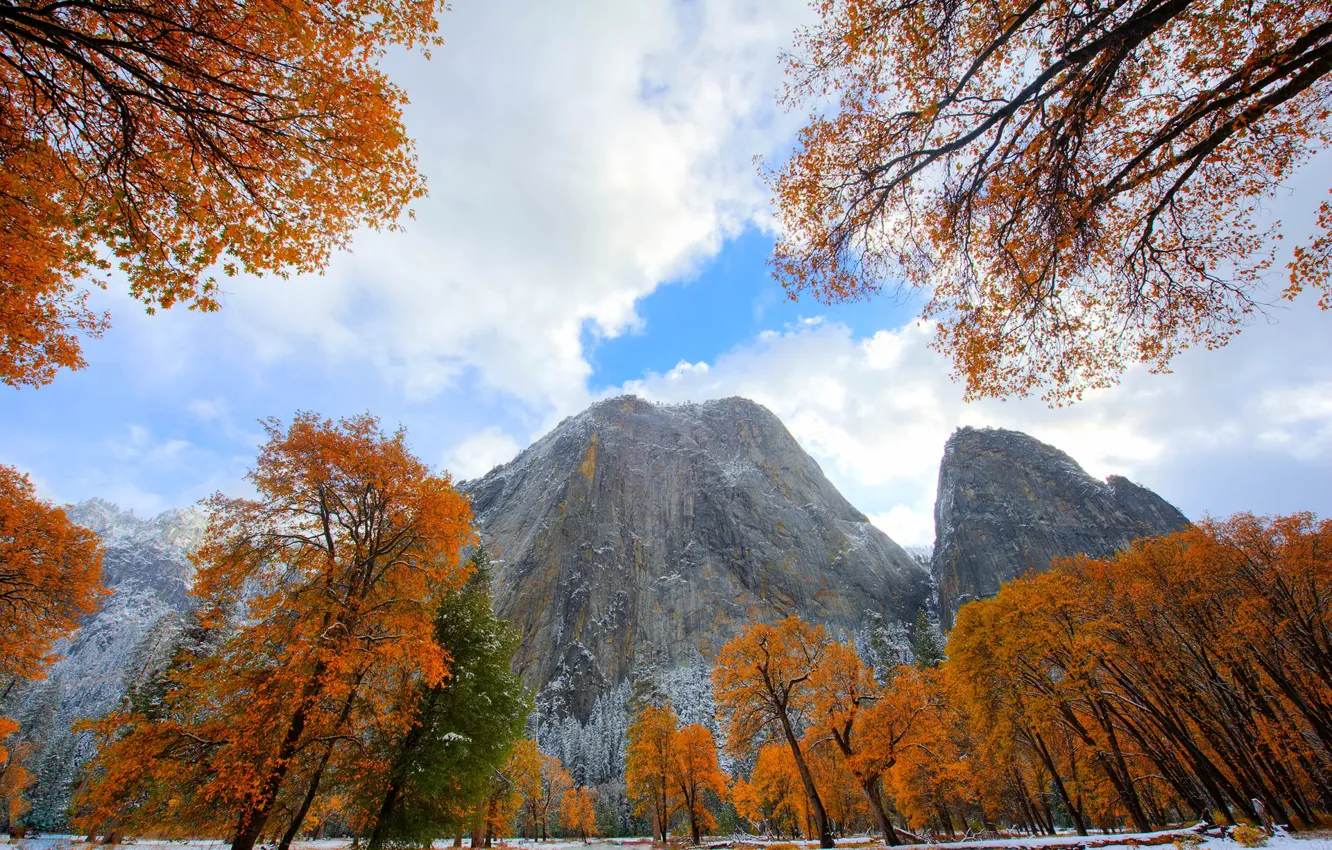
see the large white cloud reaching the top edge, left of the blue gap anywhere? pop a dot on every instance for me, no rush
(579, 155)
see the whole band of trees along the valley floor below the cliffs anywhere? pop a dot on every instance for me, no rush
(344, 673)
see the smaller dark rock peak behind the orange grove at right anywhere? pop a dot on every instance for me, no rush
(1009, 504)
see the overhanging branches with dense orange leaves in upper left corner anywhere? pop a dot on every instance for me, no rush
(186, 141)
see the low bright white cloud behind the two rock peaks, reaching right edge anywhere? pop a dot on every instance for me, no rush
(877, 412)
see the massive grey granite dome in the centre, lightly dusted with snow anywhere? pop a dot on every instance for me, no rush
(637, 532)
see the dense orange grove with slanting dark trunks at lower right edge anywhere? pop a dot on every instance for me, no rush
(1183, 677)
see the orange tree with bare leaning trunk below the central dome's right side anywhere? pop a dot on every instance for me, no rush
(763, 683)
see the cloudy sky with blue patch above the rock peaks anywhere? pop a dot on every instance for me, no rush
(597, 226)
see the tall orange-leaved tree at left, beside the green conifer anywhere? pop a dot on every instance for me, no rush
(324, 590)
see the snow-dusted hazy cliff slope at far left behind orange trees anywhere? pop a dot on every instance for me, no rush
(146, 566)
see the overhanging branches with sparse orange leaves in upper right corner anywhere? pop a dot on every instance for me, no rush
(1078, 187)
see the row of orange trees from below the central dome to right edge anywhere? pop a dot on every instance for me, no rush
(1183, 680)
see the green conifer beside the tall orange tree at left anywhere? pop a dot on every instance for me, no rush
(444, 767)
